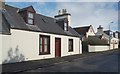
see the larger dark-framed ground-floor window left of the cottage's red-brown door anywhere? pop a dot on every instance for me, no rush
(44, 45)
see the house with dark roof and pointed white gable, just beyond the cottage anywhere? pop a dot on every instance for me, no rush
(85, 31)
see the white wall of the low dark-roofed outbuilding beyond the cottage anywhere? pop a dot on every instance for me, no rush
(97, 48)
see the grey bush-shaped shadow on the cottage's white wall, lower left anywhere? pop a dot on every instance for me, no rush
(15, 56)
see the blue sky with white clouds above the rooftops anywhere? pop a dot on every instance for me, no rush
(83, 13)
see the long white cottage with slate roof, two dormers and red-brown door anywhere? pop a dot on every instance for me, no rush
(27, 35)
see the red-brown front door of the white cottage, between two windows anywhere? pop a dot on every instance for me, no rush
(57, 47)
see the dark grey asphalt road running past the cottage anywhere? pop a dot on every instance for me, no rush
(107, 62)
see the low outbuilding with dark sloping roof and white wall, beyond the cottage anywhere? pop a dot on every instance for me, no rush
(95, 44)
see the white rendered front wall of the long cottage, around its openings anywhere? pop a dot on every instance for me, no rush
(28, 44)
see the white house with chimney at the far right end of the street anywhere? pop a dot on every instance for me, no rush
(108, 36)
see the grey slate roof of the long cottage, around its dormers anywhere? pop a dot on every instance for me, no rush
(42, 23)
